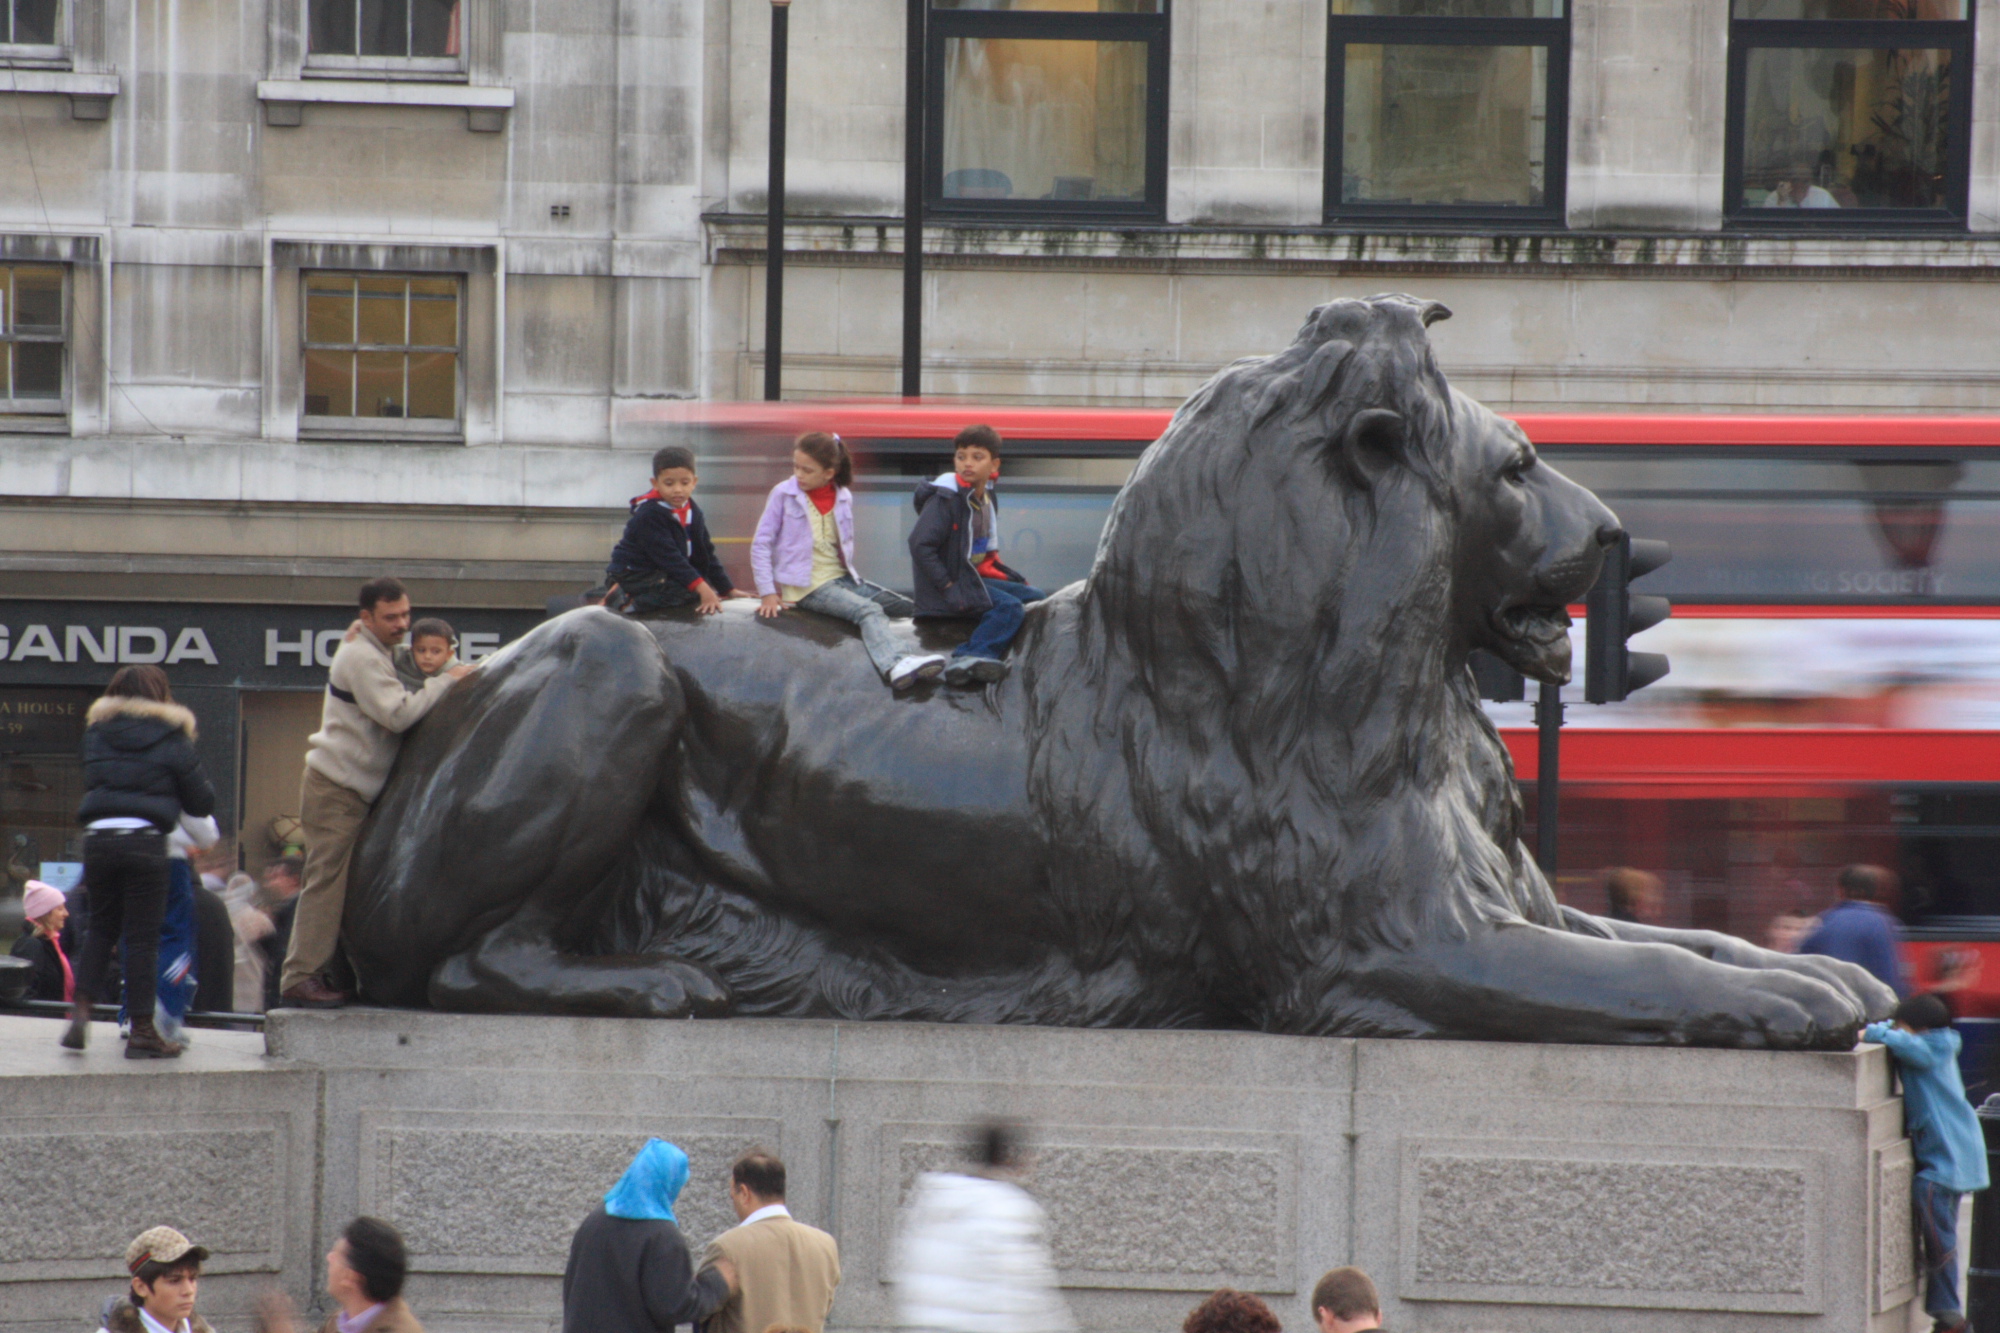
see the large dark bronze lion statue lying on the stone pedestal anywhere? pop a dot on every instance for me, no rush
(1239, 776)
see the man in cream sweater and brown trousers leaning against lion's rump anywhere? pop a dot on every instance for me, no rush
(347, 762)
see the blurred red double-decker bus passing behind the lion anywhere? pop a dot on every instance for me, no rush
(1837, 639)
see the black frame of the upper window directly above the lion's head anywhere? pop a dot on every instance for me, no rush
(1347, 31)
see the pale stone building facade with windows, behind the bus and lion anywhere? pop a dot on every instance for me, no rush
(297, 291)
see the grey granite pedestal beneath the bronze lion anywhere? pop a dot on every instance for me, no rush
(1487, 1188)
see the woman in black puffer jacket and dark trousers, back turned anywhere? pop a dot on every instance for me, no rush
(141, 776)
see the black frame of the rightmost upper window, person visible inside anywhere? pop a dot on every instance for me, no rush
(1751, 35)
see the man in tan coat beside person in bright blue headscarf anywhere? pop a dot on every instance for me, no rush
(785, 1270)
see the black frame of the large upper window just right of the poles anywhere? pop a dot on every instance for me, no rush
(1057, 27)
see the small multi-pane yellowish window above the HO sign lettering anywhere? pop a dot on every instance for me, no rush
(383, 347)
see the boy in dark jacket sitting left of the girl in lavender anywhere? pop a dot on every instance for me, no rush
(667, 557)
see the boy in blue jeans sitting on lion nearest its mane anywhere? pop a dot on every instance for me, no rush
(955, 555)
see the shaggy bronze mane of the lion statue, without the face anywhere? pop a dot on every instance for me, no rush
(1251, 708)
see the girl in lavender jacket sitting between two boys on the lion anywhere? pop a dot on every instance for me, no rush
(803, 555)
